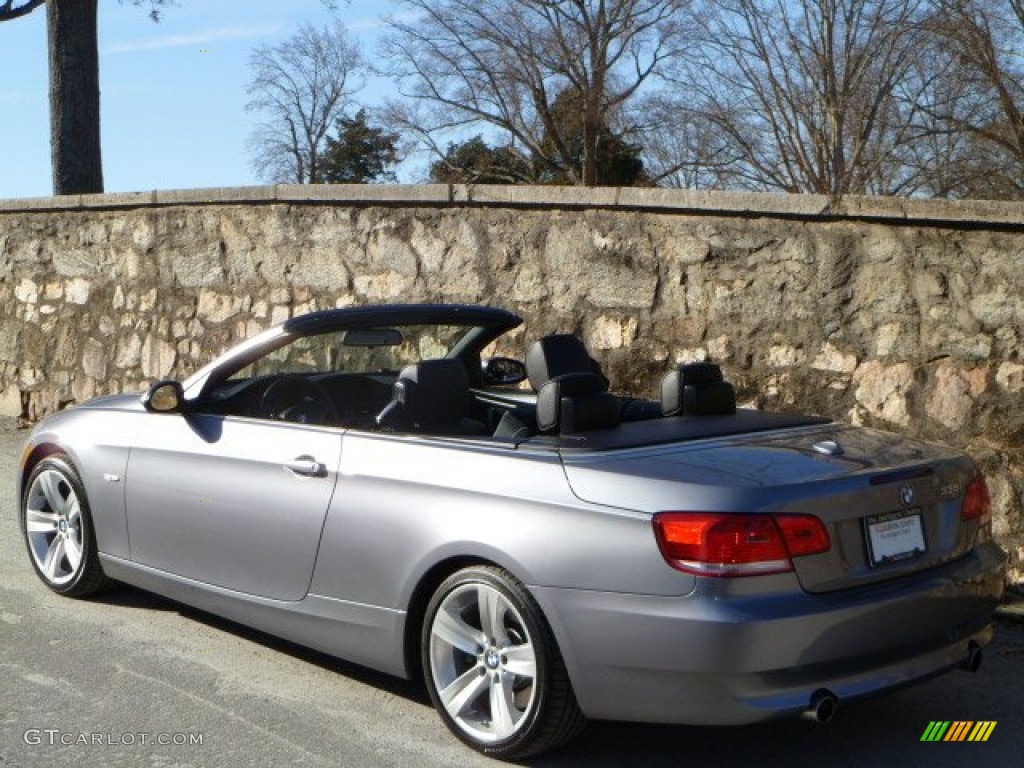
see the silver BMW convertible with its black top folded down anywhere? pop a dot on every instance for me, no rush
(539, 550)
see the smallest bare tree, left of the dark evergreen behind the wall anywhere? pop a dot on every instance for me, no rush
(301, 88)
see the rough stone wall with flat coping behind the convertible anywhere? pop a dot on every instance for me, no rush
(903, 315)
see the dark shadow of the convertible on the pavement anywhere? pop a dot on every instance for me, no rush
(879, 732)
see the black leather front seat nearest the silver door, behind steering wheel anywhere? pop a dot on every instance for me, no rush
(432, 397)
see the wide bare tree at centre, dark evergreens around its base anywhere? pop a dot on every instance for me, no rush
(504, 63)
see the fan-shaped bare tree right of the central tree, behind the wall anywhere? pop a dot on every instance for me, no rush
(804, 92)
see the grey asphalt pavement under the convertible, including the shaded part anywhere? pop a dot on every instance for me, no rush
(131, 679)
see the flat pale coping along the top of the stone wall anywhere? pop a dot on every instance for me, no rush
(891, 210)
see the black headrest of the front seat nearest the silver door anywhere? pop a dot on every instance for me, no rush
(433, 393)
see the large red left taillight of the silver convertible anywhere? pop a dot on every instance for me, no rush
(733, 545)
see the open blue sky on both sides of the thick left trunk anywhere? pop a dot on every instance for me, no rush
(174, 94)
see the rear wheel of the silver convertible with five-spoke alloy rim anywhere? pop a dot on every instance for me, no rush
(493, 668)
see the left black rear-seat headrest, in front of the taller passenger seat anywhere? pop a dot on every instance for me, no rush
(576, 403)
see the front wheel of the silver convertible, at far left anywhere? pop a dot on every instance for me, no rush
(55, 494)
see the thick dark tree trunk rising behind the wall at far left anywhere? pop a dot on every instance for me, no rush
(74, 59)
